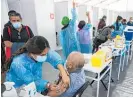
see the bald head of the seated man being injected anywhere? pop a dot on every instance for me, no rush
(75, 60)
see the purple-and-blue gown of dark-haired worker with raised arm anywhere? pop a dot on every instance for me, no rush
(84, 39)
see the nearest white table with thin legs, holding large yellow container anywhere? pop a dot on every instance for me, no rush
(90, 68)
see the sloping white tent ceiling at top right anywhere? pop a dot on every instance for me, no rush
(117, 5)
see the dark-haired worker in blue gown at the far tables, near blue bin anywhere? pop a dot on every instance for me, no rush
(118, 27)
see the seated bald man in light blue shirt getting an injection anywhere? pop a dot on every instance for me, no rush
(74, 65)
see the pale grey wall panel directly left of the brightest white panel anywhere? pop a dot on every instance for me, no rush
(29, 14)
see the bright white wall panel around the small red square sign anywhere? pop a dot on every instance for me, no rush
(45, 25)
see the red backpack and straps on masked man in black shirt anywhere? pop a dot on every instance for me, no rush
(8, 49)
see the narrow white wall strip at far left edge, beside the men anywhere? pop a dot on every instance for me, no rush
(4, 14)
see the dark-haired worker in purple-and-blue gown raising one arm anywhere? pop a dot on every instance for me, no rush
(83, 35)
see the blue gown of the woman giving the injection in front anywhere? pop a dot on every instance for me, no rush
(25, 70)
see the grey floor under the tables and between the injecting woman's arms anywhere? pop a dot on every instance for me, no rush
(121, 88)
